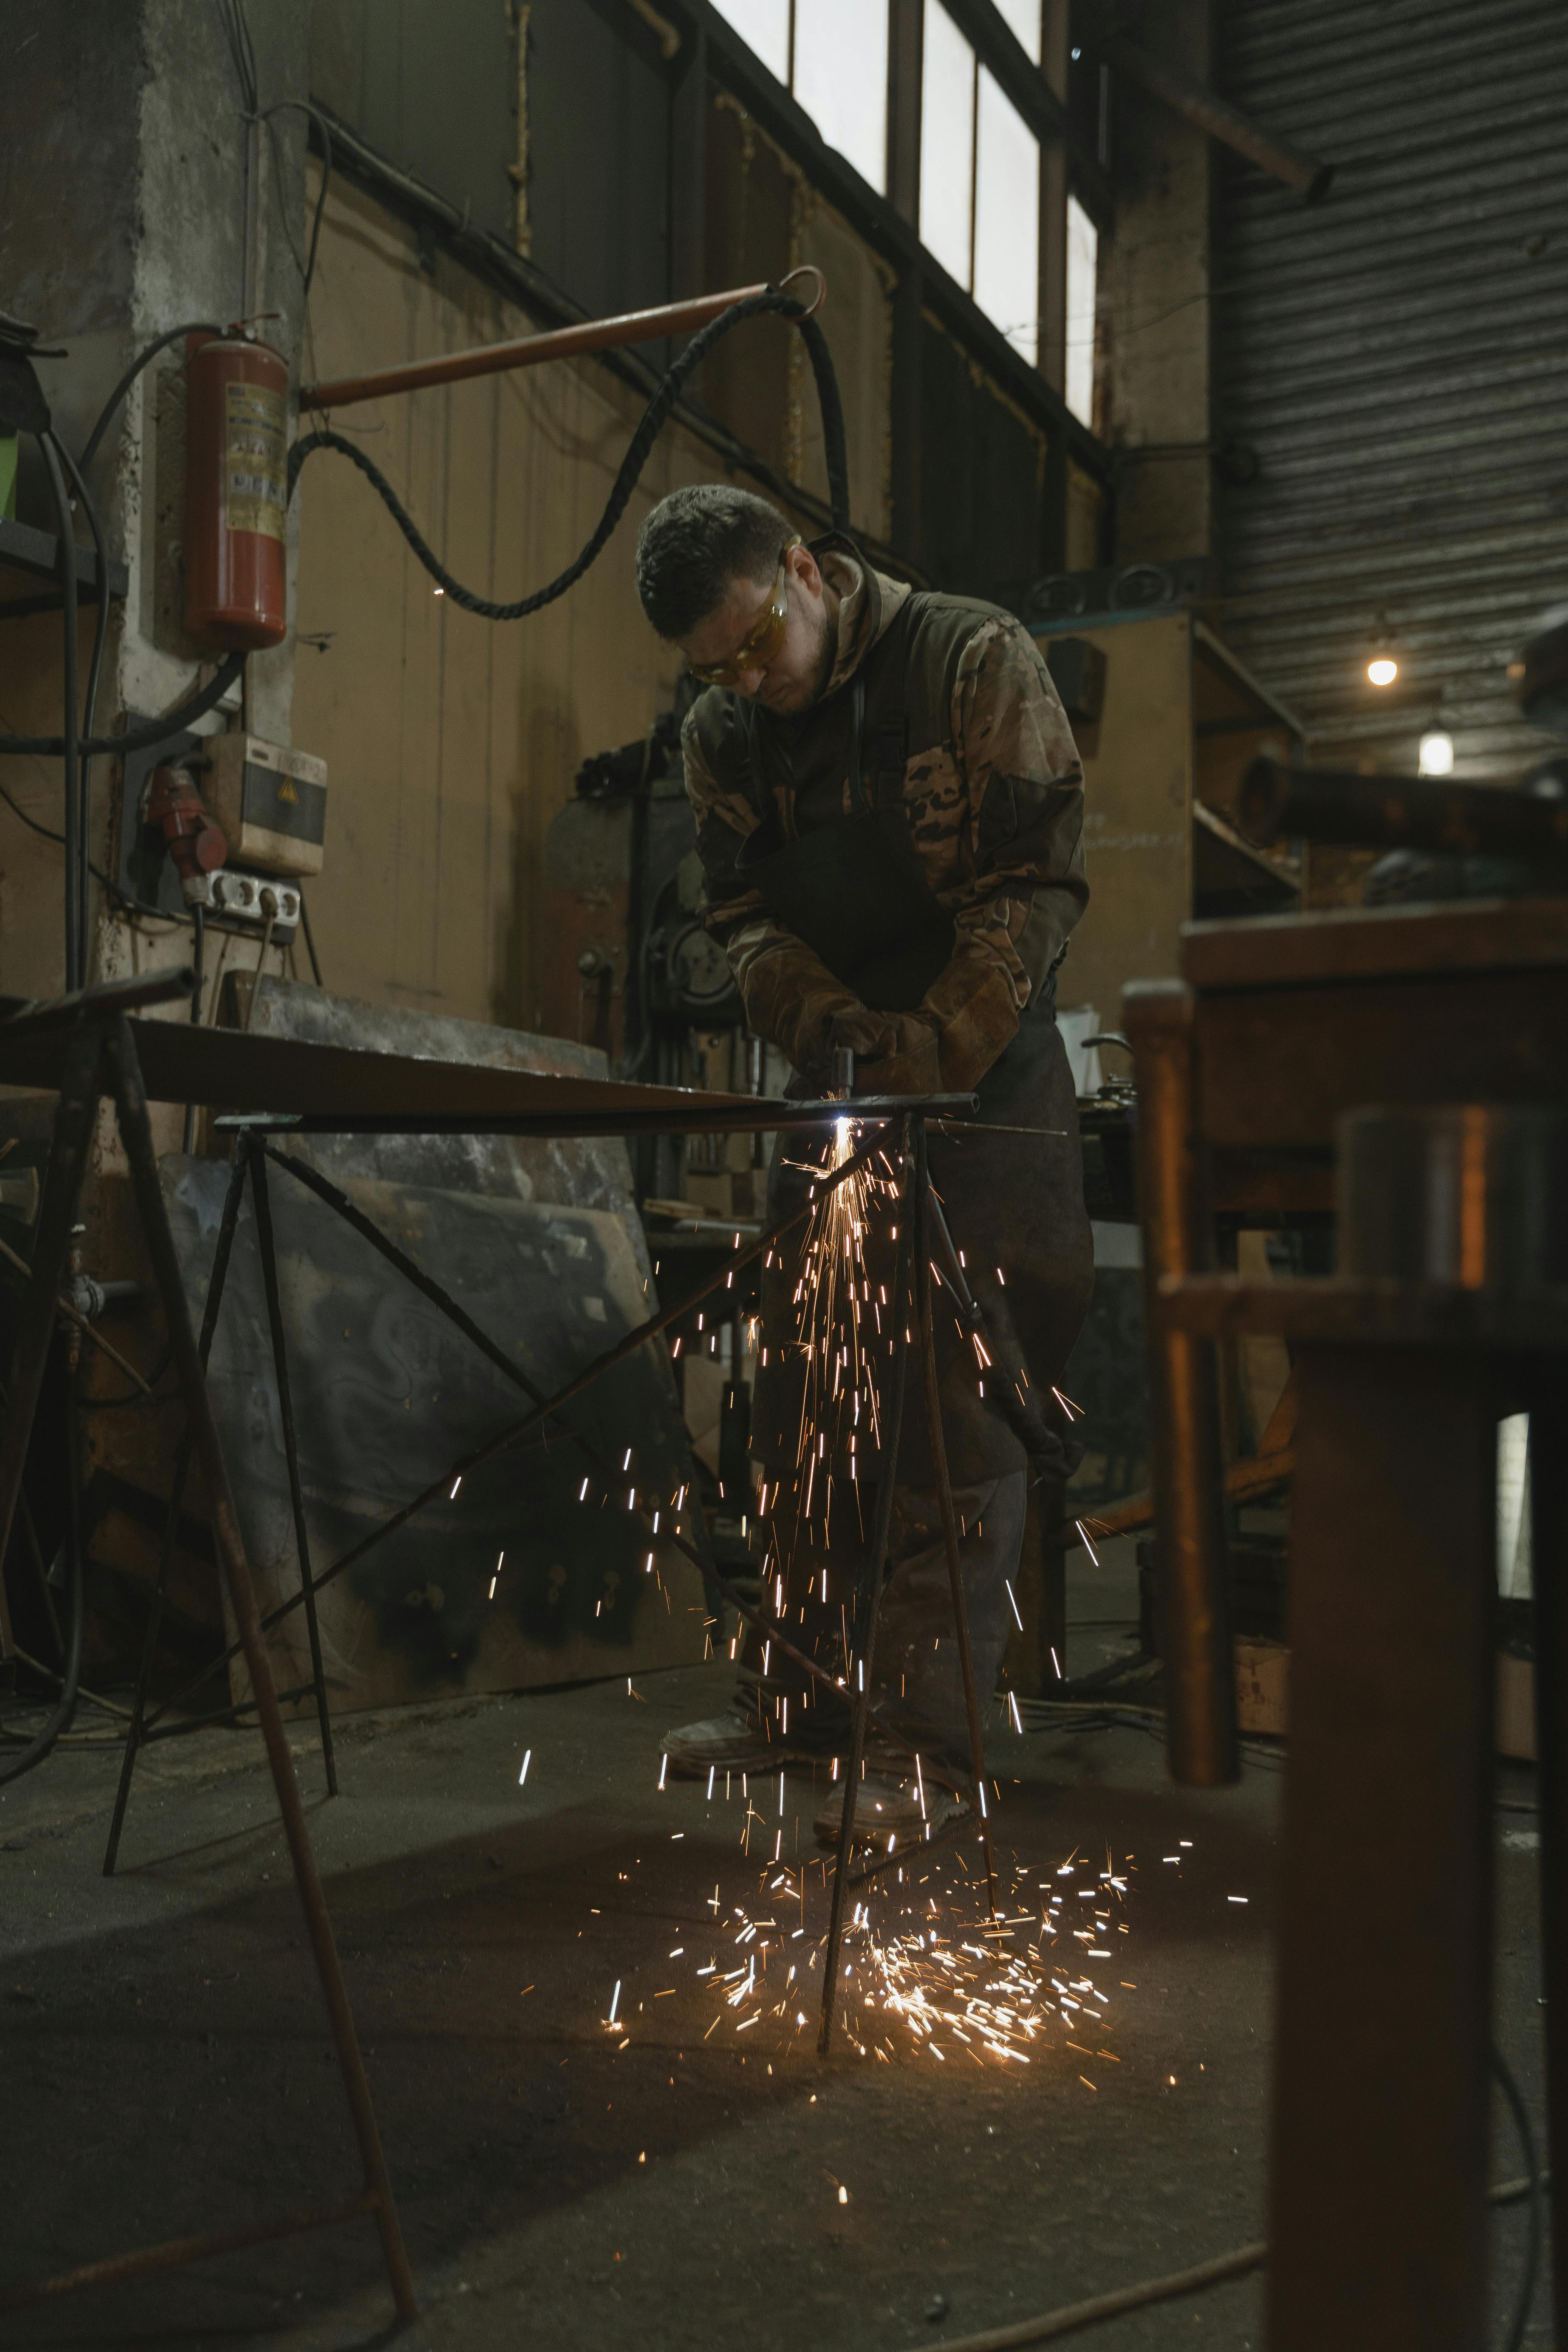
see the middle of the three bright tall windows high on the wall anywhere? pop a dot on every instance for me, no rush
(979, 182)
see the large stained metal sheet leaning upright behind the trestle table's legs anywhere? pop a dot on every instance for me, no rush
(387, 1394)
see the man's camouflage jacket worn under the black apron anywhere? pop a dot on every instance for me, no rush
(993, 794)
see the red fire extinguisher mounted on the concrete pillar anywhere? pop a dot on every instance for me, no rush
(236, 493)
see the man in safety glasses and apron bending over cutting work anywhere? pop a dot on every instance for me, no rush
(890, 822)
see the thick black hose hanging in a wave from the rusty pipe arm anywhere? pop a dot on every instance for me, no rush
(631, 467)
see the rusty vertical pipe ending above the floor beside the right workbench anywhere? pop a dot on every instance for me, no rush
(1184, 1396)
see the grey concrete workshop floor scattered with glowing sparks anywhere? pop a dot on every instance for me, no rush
(676, 2181)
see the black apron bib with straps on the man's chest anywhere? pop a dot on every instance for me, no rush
(855, 890)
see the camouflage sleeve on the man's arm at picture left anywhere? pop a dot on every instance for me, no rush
(791, 996)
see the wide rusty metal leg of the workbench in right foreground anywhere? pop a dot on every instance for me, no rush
(1379, 2231)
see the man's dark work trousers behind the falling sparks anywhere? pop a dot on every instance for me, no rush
(1014, 1208)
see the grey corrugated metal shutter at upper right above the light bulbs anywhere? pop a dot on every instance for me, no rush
(1398, 361)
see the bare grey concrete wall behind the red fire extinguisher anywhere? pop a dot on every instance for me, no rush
(121, 215)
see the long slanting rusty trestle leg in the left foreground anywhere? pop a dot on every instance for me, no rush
(138, 1137)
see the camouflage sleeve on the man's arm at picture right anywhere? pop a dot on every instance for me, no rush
(1019, 881)
